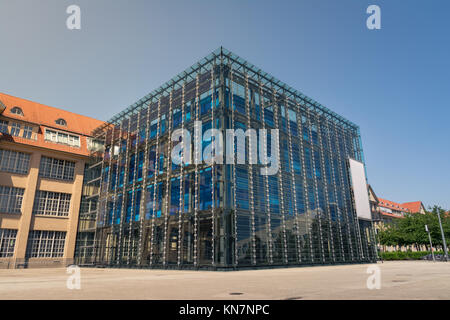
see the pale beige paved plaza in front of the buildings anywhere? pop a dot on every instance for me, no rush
(399, 280)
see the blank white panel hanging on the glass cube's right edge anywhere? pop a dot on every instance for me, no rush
(359, 187)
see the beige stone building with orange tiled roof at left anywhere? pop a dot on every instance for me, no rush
(43, 151)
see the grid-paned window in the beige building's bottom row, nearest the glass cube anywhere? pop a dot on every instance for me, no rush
(45, 244)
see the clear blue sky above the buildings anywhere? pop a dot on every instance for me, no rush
(394, 82)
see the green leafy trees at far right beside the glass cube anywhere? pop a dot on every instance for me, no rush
(411, 230)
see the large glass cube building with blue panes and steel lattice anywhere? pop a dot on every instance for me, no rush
(140, 209)
